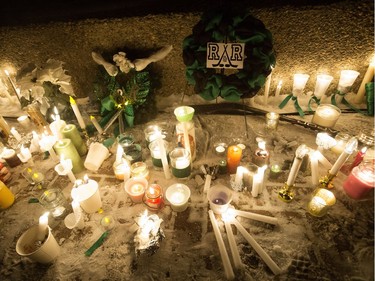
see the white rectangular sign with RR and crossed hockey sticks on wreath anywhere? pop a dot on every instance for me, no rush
(225, 55)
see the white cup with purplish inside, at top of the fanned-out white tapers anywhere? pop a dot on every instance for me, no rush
(219, 198)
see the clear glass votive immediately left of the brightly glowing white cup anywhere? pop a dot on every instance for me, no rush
(54, 202)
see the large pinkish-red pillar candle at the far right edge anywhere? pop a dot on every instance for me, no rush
(360, 181)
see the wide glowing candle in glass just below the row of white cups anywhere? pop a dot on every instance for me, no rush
(326, 115)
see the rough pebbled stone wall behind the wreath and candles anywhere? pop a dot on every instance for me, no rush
(310, 39)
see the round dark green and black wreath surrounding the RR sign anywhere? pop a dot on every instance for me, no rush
(229, 27)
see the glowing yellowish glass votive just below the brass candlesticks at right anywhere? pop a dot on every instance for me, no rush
(321, 201)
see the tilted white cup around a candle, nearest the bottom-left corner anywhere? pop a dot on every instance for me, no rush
(46, 253)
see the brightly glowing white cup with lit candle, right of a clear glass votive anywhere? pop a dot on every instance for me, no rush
(87, 193)
